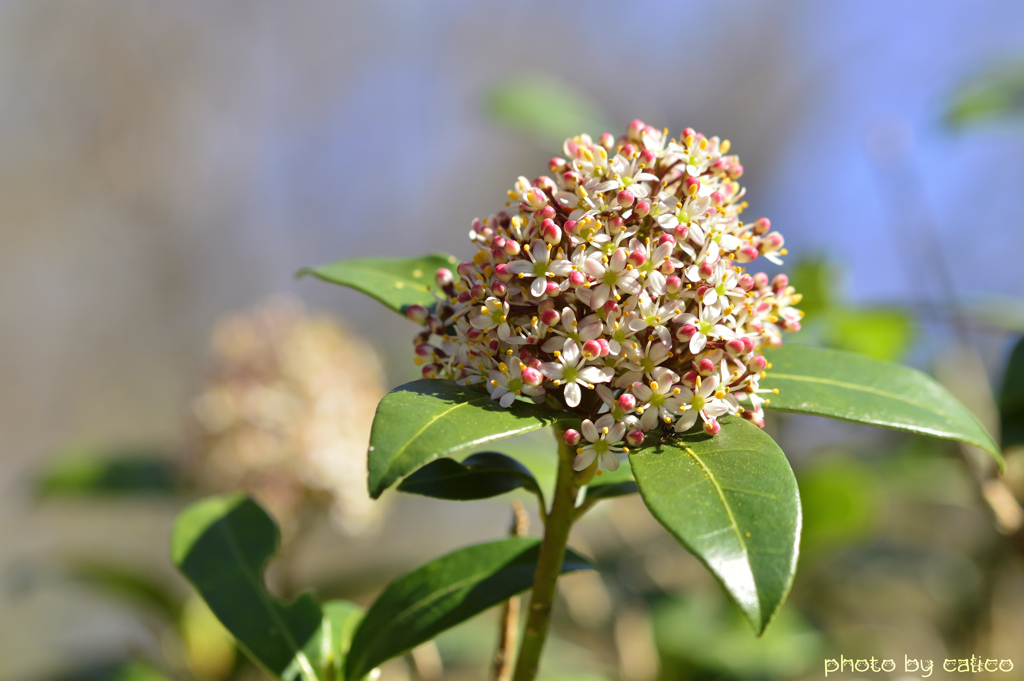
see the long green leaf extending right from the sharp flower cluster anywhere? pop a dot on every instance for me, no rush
(852, 388)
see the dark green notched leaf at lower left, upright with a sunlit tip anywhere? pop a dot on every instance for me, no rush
(223, 545)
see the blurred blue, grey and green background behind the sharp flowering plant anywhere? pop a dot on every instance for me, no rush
(166, 165)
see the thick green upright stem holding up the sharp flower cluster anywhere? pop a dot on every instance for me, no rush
(549, 564)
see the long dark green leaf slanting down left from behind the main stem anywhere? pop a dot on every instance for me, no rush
(452, 589)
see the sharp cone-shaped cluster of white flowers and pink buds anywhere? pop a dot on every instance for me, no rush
(616, 289)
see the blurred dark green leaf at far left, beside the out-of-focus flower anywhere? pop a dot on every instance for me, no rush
(110, 475)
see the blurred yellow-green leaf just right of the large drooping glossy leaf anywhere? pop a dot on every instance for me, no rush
(840, 499)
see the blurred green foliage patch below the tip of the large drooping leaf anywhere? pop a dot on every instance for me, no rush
(700, 633)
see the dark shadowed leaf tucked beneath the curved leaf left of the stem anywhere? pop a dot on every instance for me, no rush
(482, 476)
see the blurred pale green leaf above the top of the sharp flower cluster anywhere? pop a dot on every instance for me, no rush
(546, 108)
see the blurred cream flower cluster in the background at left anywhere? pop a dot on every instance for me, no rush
(286, 415)
